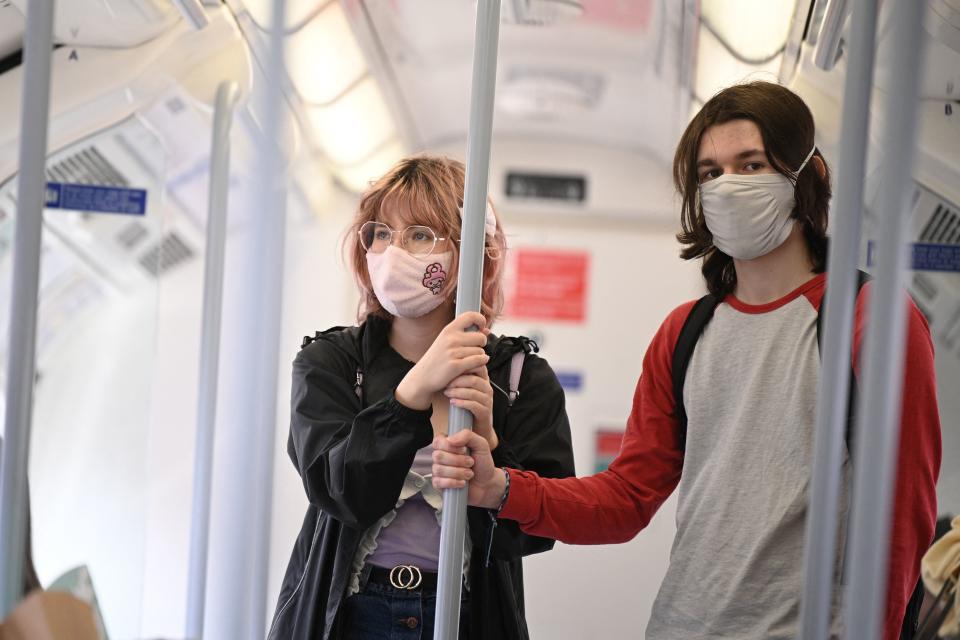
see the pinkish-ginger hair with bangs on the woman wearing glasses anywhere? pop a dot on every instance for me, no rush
(428, 189)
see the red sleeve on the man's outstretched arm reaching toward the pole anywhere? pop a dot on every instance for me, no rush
(613, 506)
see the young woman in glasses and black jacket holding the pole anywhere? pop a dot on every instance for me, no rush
(368, 401)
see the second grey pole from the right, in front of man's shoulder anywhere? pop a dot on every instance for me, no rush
(821, 528)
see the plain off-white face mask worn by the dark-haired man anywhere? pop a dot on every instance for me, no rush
(749, 215)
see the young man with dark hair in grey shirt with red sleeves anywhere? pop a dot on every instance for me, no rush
(755, 195)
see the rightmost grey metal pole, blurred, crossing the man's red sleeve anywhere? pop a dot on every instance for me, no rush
(878, 424)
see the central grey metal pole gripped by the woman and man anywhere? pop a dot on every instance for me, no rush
(470, 281)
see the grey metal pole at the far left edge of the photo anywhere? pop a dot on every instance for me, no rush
(31, 186)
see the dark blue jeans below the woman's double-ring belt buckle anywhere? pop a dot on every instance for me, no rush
(381, 612)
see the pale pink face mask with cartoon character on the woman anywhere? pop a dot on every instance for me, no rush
(408, 286)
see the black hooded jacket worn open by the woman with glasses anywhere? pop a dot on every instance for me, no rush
(353, 456)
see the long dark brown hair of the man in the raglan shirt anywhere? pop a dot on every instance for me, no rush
(786, 126)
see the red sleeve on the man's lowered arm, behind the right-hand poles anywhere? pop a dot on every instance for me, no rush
(918, 463)
